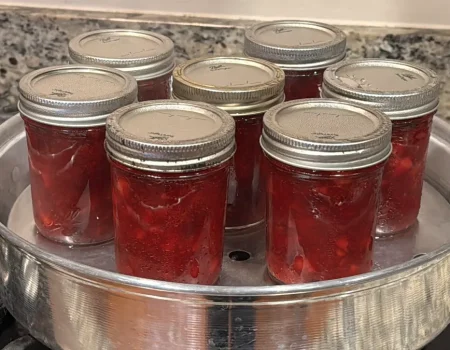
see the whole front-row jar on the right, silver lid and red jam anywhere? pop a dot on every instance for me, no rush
(324, 166)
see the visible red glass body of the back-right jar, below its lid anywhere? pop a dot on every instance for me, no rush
(303, 84)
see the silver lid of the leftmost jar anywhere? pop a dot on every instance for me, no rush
(75, 96)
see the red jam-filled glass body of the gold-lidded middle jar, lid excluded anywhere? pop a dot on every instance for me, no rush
(246, 192)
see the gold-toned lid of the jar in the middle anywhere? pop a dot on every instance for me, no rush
(238, 85)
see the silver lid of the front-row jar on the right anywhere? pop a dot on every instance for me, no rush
(322, 134)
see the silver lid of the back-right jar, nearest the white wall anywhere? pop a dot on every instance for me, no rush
(296, 45)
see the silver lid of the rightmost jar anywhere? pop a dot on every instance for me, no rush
(400, 89)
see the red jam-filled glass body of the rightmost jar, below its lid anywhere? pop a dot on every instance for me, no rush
(401, 189)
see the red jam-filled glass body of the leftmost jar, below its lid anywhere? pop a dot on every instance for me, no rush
(70, 183)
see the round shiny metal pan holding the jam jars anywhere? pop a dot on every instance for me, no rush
(71, 305)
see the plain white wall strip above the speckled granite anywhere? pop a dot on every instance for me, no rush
(410, 13)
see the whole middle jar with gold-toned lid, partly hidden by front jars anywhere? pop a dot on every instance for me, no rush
(245, 88)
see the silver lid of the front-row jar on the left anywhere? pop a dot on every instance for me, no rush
(170, 136)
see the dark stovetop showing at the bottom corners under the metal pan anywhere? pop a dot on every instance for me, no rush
(14, 337)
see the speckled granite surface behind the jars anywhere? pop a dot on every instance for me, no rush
(34, 38)
